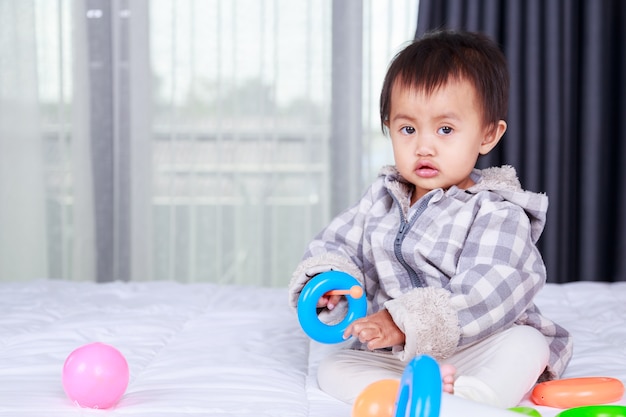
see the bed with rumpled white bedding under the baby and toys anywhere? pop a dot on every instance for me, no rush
(211, 350)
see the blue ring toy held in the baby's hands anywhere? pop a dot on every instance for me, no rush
(307, 306)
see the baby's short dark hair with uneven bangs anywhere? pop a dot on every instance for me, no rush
(437, 57)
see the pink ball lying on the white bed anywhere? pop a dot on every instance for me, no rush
(95, 376)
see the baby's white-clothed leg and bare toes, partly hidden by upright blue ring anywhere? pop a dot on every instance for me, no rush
(346, 373)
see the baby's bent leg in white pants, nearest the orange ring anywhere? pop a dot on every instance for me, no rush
(501, 369)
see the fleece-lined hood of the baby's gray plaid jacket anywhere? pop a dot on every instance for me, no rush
(500, 180)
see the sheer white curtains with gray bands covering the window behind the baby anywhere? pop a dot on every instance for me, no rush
(187, 140)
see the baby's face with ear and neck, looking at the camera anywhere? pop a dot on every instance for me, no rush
(437, 137)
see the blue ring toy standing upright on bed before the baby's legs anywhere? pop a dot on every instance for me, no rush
(420, 389)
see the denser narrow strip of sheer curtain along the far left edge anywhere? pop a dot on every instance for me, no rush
(22, 193)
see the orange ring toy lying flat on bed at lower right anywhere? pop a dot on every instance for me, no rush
(577, 392)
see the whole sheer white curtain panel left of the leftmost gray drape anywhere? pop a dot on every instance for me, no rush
(45, 188)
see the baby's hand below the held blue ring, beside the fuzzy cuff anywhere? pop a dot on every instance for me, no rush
(377, 330)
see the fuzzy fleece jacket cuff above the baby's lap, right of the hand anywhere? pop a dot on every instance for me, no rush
(429, 322)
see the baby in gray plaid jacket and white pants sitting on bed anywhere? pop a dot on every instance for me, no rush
(446, 253)
